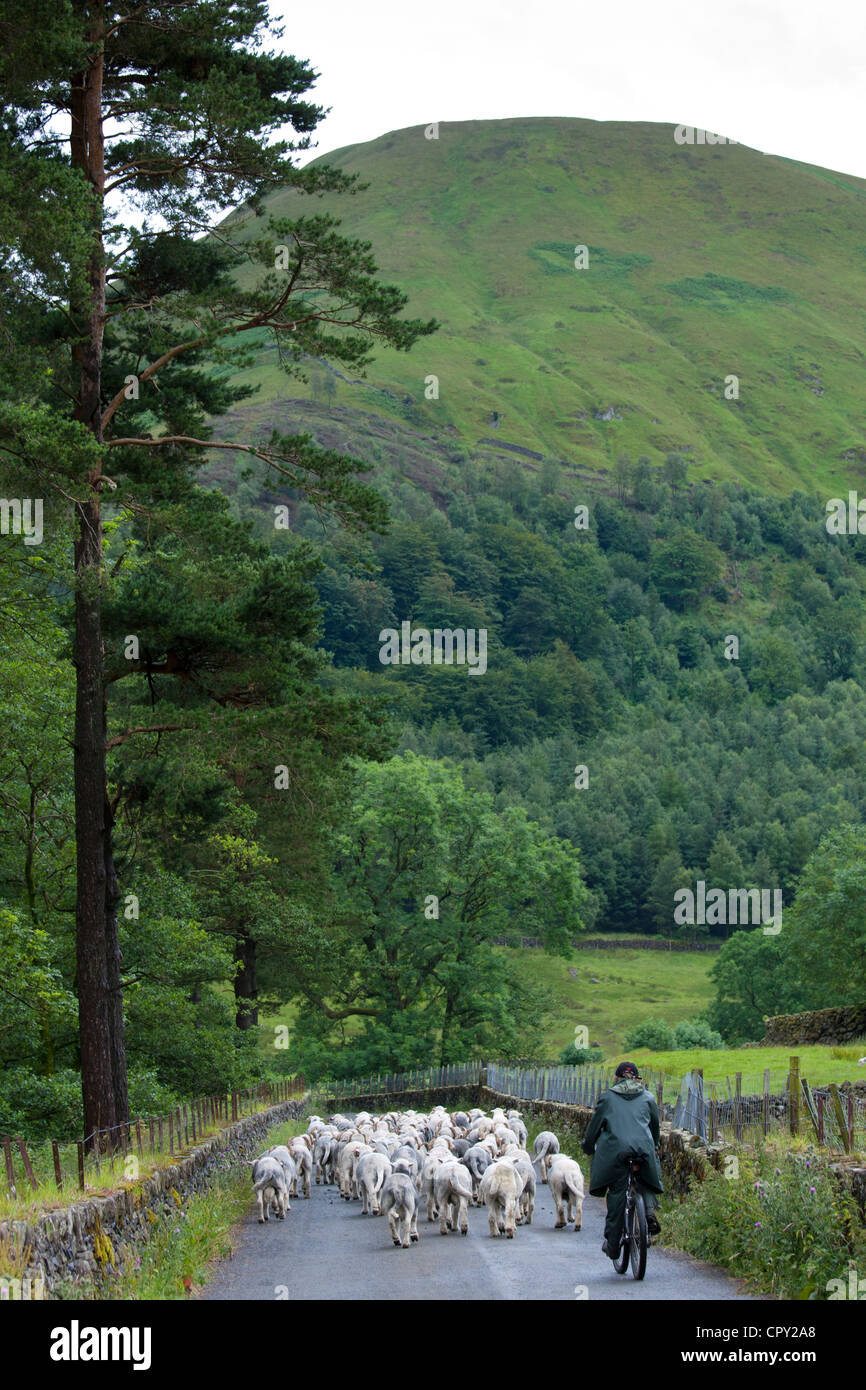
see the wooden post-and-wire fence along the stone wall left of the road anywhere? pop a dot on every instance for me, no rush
(124, 1150)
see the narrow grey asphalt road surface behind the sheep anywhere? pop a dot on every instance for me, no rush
(327, 1250)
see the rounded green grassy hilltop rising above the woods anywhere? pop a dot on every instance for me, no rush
(704, 262)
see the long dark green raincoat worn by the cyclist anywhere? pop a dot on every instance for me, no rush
(625, 1120)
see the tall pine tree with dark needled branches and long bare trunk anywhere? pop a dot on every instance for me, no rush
(127, 130)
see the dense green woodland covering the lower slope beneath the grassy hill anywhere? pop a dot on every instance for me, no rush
(607, 653)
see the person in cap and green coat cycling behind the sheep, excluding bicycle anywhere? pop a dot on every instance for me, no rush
(626, 1121)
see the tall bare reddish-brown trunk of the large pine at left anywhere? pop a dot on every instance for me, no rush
(104, 1067)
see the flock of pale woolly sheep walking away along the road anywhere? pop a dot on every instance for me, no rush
(397, 1161)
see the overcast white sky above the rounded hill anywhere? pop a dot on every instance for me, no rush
(787, 77)
